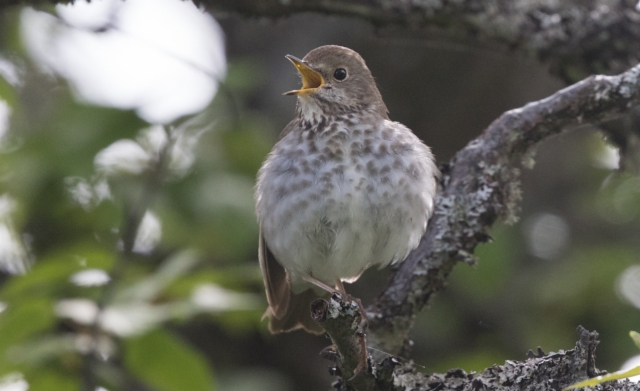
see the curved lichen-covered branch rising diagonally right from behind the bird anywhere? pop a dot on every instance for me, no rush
(480, 185)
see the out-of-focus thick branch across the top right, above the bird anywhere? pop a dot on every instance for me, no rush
(575, 37)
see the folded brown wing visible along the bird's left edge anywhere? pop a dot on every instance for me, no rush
(276, 281)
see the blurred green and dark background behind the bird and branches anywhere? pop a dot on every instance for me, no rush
(130, 136)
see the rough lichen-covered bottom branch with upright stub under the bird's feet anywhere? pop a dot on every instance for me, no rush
(552, 371)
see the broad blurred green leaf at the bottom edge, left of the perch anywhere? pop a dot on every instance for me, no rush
(167, 363)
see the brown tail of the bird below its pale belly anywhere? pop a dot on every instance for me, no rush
(297, 315)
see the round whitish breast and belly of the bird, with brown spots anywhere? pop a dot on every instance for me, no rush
(340, 216)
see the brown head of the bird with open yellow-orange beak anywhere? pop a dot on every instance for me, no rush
(336, 80)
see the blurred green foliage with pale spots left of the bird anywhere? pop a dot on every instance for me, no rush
(118, 232)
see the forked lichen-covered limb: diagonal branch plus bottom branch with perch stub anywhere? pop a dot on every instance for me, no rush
(479, 185)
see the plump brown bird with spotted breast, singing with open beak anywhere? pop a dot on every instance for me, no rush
(343, 189)
